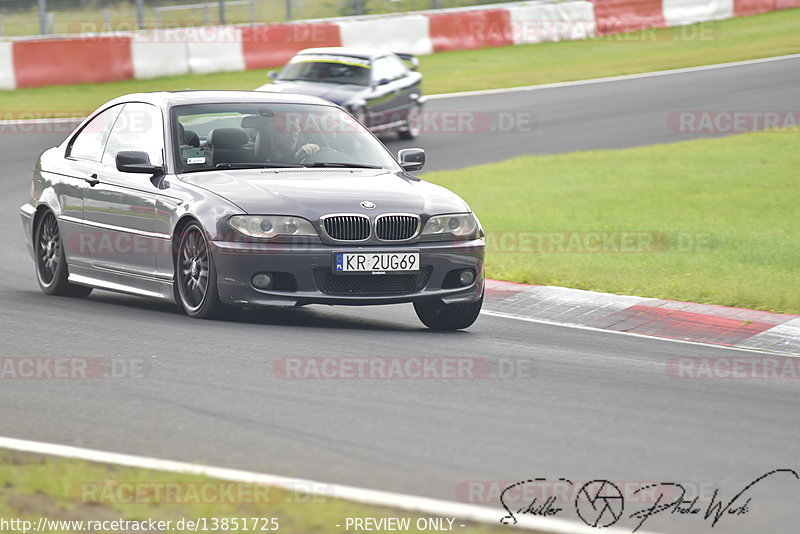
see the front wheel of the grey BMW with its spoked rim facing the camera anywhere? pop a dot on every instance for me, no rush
(196, 275)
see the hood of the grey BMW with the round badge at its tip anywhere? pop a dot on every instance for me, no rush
(312, 193)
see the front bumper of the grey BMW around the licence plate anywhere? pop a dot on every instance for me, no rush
(237, 262)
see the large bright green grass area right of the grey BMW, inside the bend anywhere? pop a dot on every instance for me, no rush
(712, 221)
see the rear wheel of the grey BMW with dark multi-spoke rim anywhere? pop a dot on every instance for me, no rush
(52, 271)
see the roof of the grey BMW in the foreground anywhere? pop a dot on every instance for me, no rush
(168, 99)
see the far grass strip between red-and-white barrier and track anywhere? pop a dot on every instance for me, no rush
(770, 34)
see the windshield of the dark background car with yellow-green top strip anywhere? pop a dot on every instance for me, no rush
(329, 69)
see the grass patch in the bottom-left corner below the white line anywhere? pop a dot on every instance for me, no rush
(58, 489)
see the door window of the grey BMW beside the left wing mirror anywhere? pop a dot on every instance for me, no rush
(139, 127)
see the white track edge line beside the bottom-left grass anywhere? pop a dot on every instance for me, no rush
(410, 503)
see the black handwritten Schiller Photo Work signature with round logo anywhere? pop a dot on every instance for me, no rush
(600, 503)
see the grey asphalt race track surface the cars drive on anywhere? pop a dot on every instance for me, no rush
(597, 406)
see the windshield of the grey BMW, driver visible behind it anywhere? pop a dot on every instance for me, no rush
(226, 136)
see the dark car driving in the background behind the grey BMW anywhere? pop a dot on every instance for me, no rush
(378, 88)
